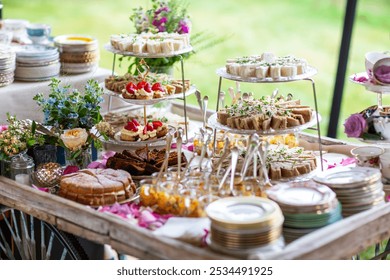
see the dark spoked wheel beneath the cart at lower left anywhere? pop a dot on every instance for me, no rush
(24, 237)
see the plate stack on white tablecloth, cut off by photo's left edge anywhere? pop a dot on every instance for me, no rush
(7, 65)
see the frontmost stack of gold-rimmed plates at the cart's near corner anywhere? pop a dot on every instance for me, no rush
(241, 225)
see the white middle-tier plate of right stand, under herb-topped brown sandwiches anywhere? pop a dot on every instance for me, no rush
(213, 122)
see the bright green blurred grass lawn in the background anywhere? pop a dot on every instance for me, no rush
(305, 28)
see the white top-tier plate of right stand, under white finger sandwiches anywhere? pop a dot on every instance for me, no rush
(310, 71)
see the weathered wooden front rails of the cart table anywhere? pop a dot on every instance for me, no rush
(341, 240)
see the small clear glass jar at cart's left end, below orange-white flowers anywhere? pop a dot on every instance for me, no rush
(22, 166)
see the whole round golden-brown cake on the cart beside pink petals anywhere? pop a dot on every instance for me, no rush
(96, 187)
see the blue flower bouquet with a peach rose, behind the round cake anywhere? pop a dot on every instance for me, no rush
(73, 116)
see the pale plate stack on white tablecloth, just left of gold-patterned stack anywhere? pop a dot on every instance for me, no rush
(36, 63)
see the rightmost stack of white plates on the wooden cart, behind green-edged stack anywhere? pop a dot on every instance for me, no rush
(358, 189)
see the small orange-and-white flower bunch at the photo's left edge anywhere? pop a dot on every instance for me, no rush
(17, 137)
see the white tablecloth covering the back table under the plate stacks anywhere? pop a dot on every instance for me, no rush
(17, 98)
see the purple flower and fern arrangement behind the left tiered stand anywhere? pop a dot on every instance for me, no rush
(168, 16)
